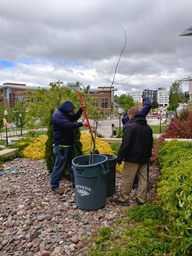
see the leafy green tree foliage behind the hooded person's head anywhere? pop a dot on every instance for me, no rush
(42, 100)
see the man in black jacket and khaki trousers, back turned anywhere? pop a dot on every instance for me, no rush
(135, 151)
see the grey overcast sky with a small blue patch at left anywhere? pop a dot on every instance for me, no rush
(43, 41)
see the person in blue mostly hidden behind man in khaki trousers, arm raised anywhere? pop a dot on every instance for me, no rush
(146, 106)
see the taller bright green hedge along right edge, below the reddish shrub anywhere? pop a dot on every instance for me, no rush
(175, 192)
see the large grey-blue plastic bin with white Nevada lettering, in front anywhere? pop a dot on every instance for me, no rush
(90, 181)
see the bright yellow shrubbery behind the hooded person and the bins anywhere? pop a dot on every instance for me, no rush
(36, 149)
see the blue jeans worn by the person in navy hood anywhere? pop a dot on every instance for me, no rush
(63, 159)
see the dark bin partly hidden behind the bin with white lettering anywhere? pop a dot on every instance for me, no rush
(111, 175)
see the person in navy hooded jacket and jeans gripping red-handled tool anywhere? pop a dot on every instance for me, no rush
(63, 126)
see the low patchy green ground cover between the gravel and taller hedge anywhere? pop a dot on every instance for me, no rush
(131, 238)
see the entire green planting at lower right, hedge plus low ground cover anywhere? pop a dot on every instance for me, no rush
(164, 228)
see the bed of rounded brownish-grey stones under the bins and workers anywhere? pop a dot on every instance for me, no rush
(34, 221)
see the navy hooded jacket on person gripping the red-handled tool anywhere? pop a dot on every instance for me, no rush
(63, 124)
